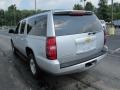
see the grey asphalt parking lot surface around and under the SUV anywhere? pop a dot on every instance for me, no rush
(15, 75)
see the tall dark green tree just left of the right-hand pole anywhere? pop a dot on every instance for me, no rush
(103, 10)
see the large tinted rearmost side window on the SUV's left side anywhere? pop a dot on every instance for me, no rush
(37, 26)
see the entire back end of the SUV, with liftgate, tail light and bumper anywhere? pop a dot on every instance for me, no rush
(75, 42)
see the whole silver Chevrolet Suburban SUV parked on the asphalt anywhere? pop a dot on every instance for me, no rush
(60, 42)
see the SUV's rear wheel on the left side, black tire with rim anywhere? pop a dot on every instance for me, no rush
(33, 66)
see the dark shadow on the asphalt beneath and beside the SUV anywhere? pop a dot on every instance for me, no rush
(47, 81)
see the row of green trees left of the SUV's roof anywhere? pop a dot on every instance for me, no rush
(12, 16)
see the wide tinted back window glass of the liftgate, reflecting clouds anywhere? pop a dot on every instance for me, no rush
(68, 25)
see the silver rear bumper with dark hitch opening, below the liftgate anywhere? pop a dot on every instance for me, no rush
(54, 67)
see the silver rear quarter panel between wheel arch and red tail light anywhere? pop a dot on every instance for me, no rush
(37, 44)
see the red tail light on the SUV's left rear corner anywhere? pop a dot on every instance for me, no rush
(51, 48)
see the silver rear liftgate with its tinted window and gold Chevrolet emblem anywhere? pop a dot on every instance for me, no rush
(77, 36)
